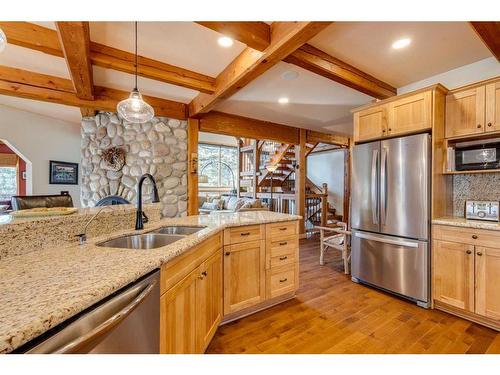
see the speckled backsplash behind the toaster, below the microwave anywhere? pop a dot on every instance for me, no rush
(482, 186)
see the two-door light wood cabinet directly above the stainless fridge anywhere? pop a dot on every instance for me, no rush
(405, 114)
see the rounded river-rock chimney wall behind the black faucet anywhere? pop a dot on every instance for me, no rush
(158, 147)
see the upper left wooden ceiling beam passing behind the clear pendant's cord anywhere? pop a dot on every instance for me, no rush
(46, 40)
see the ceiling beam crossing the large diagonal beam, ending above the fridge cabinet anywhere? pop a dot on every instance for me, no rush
(307, 57)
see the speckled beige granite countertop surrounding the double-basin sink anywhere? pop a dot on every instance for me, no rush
(41, 289)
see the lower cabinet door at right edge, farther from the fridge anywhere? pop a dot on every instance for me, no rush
(487, 282)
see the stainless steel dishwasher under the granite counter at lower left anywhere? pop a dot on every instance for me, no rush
(127, 322)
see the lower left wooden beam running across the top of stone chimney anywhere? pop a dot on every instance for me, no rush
(51, 89)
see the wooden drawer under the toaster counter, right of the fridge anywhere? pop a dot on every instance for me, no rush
(471, 236)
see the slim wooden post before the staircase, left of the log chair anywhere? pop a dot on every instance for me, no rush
(300, 180)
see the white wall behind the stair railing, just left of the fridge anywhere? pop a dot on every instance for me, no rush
(328, 167)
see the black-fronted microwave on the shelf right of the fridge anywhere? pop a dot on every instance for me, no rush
(476, 157)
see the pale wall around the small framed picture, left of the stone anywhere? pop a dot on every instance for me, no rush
(39, 139)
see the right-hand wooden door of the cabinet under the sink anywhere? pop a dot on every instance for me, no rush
(208, 300)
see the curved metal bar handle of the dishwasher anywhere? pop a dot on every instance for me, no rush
(90, 339)
